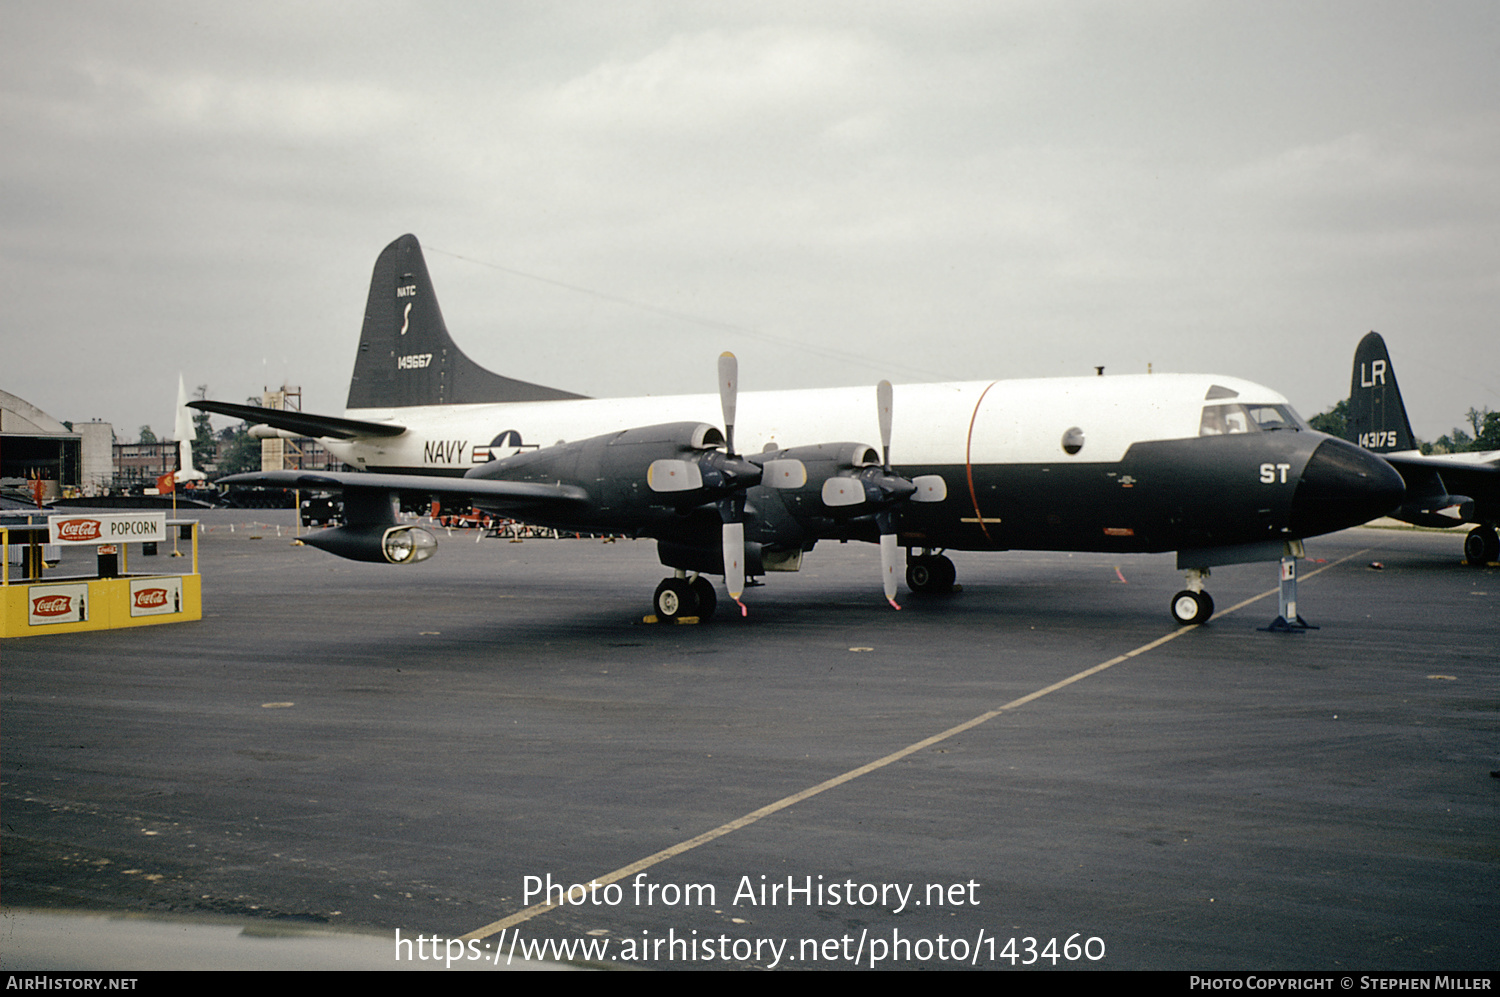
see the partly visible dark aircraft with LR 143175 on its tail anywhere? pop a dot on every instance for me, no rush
(1441, 490)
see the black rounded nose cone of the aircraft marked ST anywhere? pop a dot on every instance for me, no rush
(1343, 487)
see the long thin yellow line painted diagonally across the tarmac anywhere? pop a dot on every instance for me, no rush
(865, 770)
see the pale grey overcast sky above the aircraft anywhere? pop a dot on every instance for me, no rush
(611, 194)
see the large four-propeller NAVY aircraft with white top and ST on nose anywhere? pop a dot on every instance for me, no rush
(1220, 470)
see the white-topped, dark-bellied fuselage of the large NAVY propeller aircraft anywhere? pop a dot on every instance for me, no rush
(1112, 464)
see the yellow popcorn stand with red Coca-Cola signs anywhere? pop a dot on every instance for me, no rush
(35, 602)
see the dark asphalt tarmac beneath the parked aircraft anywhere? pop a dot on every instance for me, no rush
(416, 750)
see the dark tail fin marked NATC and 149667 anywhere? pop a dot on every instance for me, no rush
(406, 353)
